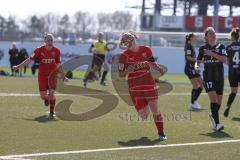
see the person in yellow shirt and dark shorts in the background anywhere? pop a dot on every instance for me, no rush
(99, 50)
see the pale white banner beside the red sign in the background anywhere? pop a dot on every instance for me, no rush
(169, 22)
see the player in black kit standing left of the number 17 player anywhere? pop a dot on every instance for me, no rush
(194, 77)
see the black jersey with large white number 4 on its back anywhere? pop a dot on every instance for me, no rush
(233, 51)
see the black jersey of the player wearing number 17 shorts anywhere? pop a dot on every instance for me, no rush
(213, 68)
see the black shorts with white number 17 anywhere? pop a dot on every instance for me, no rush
(214, 86)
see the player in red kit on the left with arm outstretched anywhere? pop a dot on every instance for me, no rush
(48, 57)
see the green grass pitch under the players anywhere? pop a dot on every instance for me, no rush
(24, 128)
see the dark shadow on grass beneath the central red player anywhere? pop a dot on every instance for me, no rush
(143, 141)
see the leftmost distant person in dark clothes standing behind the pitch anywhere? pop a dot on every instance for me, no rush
(13, 58)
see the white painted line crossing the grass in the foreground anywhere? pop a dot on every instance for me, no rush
(23, 156)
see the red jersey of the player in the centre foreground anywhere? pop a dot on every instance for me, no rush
(139, 77)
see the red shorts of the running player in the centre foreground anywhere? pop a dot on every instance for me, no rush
(141, 95)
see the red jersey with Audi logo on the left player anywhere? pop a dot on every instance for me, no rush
(48, 59)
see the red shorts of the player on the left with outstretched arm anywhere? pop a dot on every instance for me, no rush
(45, 83)
